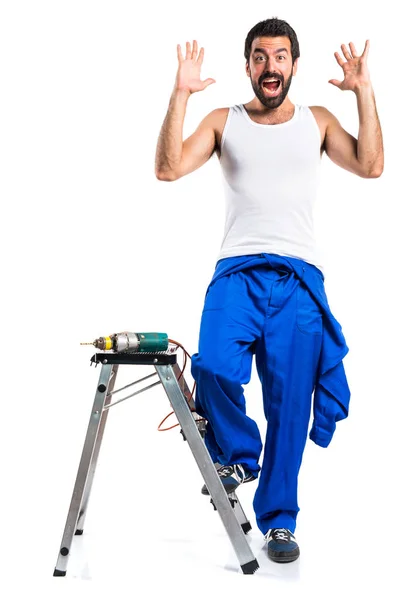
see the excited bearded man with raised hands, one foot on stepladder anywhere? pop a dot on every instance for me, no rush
(267, 295)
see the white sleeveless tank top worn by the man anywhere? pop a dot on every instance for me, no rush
(270, 176)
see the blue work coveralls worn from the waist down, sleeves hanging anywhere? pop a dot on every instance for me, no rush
(276, 308)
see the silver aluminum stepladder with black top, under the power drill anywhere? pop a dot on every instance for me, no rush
(181, 400)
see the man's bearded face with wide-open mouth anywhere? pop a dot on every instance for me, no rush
(271, 58)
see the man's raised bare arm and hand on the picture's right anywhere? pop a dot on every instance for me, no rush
(364, 156)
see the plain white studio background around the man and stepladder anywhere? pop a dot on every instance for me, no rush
(92, 243)
